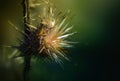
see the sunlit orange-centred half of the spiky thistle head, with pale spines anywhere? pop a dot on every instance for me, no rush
(53, 34)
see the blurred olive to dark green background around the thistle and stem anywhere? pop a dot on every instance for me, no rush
(98, 27)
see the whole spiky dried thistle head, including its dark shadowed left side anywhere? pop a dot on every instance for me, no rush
(49, 38)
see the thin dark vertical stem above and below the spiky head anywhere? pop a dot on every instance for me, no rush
(27, 56)
